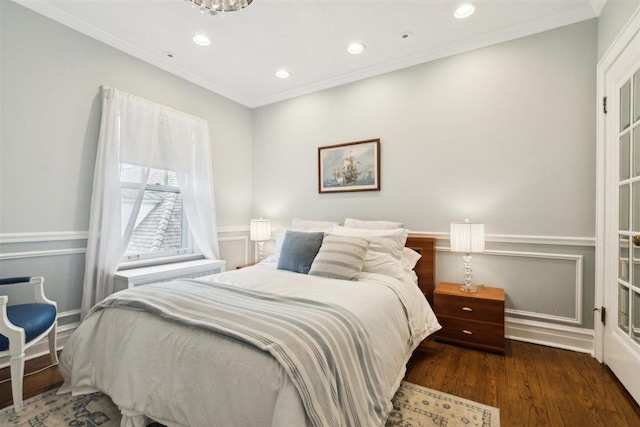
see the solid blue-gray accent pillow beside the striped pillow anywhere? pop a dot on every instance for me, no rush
(299, 249)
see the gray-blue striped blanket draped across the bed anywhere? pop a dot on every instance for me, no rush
(322, 347)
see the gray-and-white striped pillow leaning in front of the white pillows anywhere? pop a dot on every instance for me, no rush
(340, 257)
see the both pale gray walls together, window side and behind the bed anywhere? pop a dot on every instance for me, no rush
(504, 134)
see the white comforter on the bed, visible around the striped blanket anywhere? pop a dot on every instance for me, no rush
(184, 376)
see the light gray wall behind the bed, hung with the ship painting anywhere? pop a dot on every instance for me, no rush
(503, 135)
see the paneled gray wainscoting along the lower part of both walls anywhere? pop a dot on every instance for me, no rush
(549, 282)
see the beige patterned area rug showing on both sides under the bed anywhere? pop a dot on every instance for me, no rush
(413, 406)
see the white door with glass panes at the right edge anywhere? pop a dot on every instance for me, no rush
(622, 216)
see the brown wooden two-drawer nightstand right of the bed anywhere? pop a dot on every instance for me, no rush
(471, 319)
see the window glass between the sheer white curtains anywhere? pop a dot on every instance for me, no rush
(161, 227)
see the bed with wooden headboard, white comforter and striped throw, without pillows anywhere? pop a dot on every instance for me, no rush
(185, 374)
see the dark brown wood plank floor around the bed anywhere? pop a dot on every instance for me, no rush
(532, 385)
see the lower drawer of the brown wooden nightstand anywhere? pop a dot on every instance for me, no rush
(489, 336)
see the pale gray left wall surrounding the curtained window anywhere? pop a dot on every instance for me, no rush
(50, 84)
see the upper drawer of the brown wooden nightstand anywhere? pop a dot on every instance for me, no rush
(469, 308)
